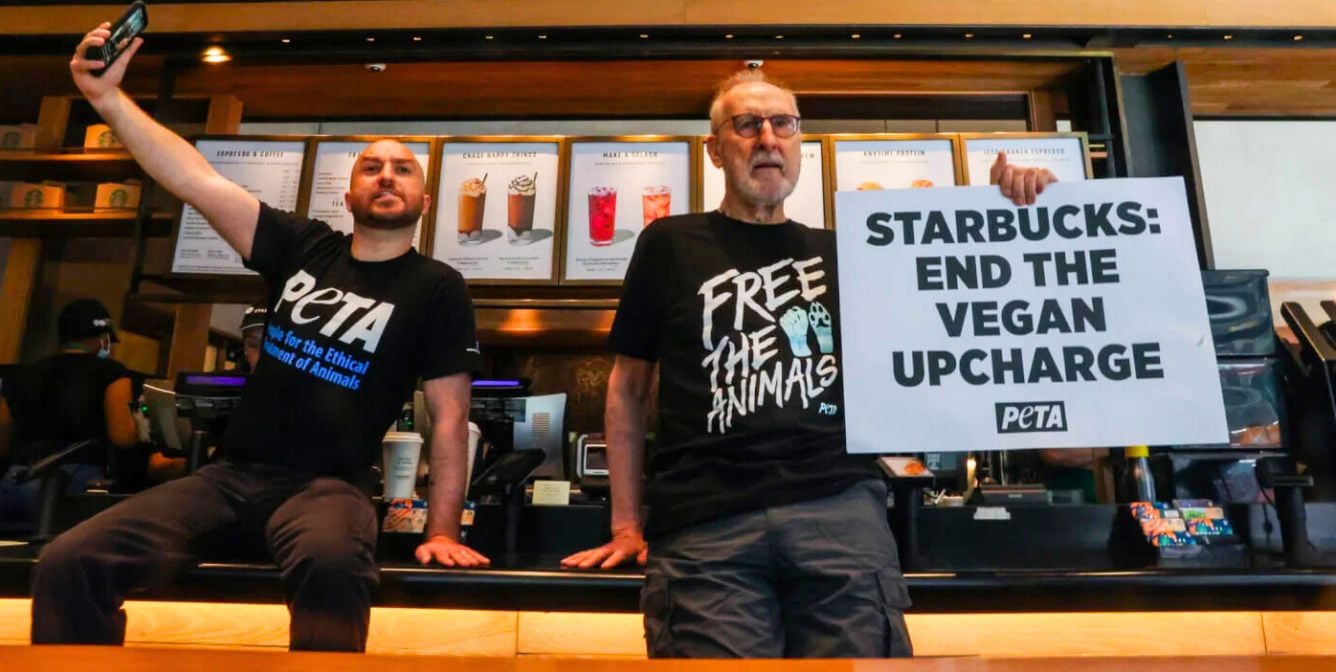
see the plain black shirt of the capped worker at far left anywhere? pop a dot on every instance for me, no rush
(62, 400)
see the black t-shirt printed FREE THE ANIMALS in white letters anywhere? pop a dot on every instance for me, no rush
(743, 321)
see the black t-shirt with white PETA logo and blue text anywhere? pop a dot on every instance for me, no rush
(345, 345)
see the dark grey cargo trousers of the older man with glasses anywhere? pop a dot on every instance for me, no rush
(816, 579)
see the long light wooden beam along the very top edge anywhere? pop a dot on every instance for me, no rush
(214, 18)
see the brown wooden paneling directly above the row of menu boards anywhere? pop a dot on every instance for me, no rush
(623, 89)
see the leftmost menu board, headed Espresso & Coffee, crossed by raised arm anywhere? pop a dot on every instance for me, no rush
(271, 170)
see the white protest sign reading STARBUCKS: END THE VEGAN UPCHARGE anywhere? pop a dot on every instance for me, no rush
(977, 325)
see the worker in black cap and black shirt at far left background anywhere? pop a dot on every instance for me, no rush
(75, 395)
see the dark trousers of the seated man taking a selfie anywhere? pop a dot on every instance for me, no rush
(320, 531)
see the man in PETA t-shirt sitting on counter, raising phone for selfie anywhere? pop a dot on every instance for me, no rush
(353, 324)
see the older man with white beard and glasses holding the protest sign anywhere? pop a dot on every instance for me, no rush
(765, 538)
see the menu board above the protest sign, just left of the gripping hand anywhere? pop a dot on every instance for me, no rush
(878, 165)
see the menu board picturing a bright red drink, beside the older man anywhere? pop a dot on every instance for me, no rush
(617, 190)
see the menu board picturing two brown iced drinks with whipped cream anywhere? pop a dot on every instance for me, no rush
(498, 210)
